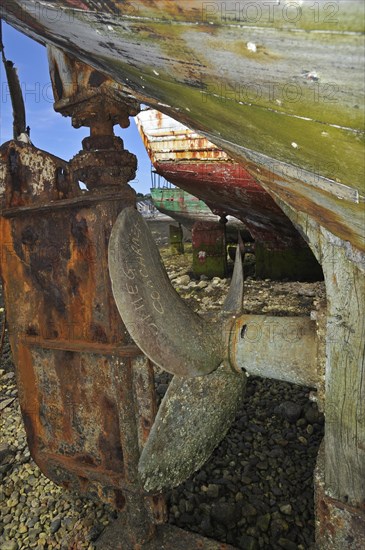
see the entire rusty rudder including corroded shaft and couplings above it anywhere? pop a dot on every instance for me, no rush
(86, 391)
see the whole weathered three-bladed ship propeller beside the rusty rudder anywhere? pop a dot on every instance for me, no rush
(201, 401)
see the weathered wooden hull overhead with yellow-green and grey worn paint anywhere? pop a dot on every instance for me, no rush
(298, 131)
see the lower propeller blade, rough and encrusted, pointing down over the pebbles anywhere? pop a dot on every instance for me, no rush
(193, 418)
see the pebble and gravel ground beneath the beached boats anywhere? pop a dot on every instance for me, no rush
(254, 492)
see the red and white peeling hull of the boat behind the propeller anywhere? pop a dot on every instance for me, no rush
(194, 164)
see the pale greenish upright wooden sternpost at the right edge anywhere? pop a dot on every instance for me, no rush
(344, 271)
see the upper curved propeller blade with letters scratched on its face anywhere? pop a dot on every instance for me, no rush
(159, 321)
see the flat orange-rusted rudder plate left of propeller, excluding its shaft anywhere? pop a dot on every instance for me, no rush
(64, 327)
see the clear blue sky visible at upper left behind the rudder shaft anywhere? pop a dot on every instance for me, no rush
(49, 130)
